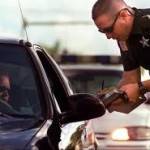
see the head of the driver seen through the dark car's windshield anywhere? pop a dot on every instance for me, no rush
(4, 86)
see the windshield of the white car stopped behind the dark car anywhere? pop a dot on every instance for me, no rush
(90, 81)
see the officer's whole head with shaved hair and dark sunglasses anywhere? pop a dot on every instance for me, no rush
(114, 18)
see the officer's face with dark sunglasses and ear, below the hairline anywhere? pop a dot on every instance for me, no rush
(115, 27)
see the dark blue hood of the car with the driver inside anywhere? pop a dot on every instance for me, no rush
(15, 134)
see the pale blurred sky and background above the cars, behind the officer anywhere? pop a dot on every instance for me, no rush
(62, 26)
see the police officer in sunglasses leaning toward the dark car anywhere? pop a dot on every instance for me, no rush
(131, 28)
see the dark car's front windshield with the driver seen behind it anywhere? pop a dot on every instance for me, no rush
(23, 93)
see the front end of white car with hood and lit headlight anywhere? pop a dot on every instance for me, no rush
(118, 131)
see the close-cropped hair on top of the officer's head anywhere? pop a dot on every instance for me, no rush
(107, 7)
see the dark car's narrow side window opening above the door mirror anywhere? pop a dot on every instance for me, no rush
(56, 81)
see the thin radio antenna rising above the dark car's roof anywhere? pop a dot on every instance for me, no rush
(24, 23)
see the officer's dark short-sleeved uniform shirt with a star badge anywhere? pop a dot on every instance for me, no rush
(135, 52)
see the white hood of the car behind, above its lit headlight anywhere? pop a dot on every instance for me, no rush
(110, 121)
